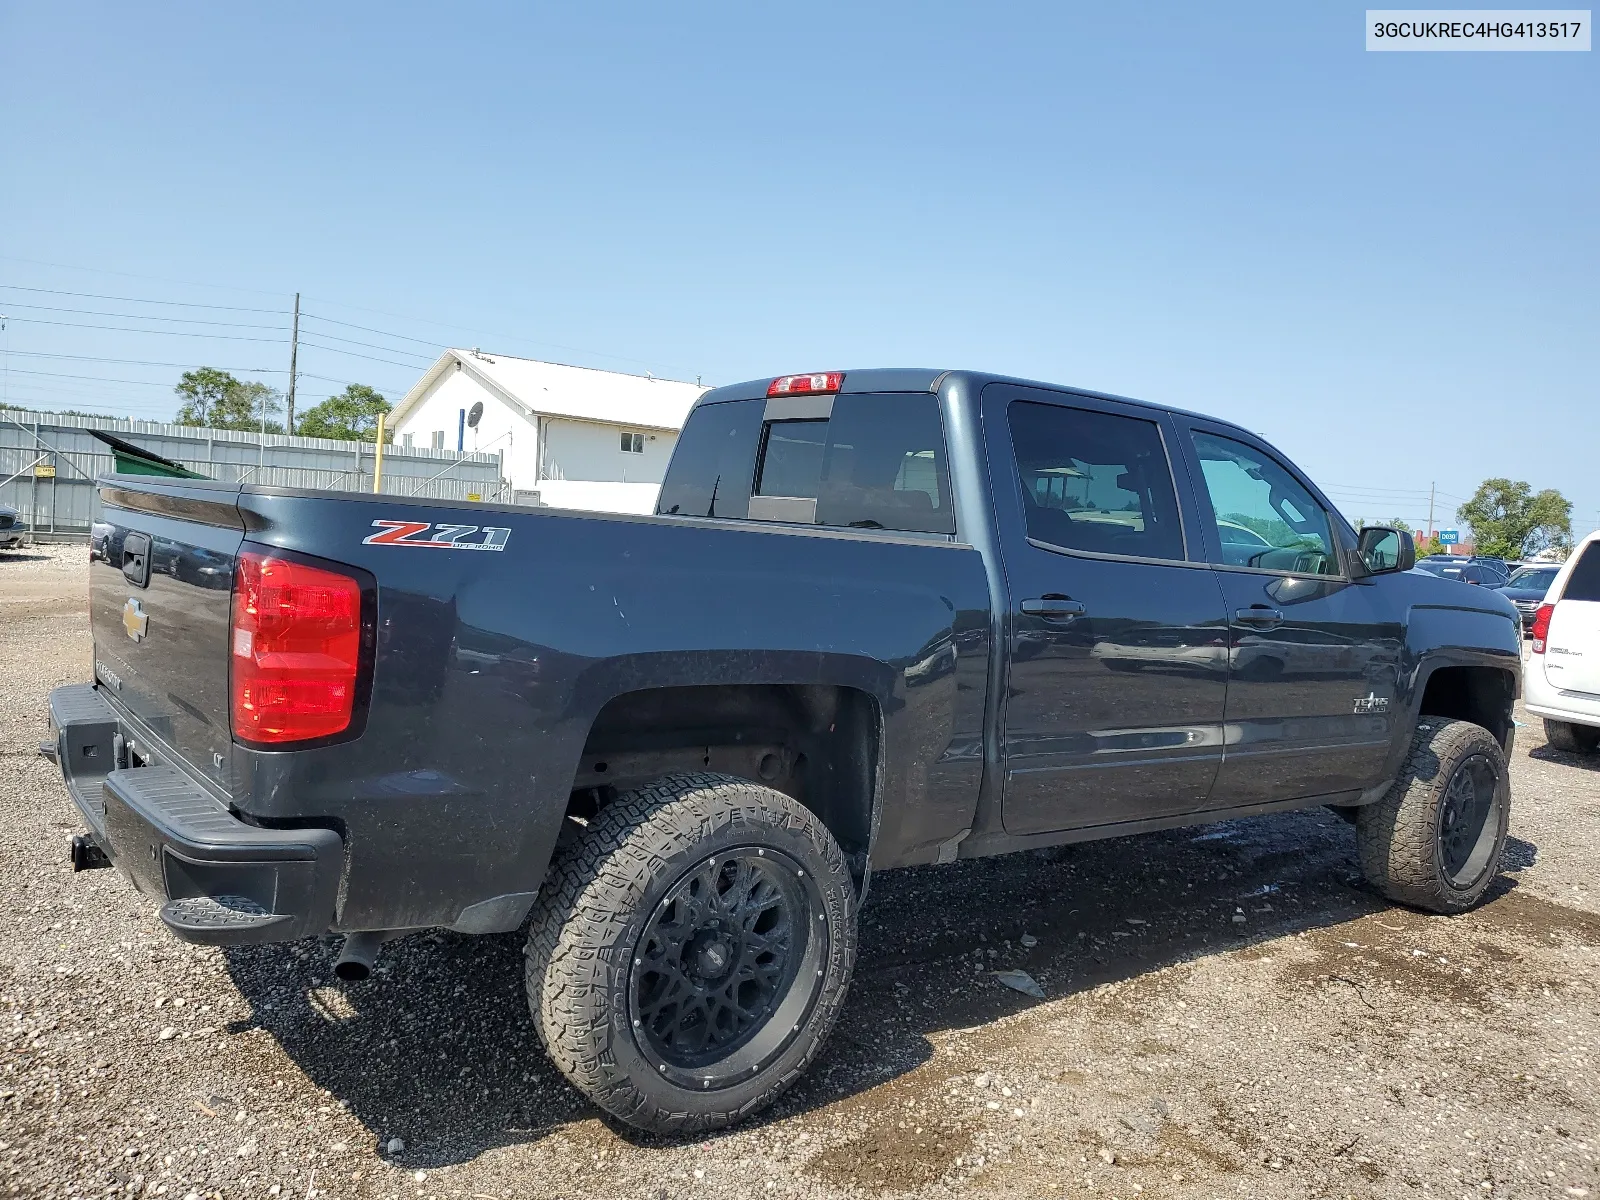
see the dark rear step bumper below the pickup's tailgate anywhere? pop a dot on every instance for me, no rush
(220, 881)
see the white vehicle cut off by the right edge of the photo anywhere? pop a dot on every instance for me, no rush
(1562, 679)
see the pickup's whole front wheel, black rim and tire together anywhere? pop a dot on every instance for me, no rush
(1436, 839)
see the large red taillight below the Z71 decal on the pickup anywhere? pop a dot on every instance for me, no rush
(297, 650)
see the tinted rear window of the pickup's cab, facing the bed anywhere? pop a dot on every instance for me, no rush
(854, 462)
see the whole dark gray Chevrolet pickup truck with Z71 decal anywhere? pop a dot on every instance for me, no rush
(882, 618)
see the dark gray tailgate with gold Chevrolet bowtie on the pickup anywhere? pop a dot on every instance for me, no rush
(161, 591)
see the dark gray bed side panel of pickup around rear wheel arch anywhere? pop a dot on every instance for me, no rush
(492, 666)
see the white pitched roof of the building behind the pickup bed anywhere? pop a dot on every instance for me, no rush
(554, 390)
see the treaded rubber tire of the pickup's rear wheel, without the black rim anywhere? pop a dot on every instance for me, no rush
(594, 886)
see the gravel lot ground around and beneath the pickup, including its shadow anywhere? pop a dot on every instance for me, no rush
(1228, 1014)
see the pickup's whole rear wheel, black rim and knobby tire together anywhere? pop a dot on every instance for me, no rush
(692, 951)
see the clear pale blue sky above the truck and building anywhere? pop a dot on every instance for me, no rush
(1385, 263)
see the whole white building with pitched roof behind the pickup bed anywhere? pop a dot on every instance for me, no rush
(578, 438)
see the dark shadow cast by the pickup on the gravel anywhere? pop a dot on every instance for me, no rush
(439, 1049)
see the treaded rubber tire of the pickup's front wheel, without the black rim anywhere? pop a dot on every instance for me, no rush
(1396, 836)
